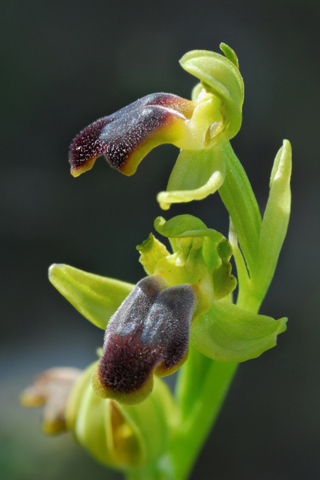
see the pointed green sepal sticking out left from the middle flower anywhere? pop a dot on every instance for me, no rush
(95, 297)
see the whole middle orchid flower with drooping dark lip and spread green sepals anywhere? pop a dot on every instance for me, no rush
(185, 297)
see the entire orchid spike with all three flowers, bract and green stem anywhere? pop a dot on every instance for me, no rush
(182, 313)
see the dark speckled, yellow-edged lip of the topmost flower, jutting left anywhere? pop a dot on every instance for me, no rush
(126, 136)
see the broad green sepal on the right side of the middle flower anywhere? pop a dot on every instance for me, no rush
(229, 334)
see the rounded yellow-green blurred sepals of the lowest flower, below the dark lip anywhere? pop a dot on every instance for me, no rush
(121, 436)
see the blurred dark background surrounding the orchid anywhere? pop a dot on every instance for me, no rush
(66, 63)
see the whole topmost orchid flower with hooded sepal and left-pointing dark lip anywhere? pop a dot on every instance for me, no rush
(196, 126)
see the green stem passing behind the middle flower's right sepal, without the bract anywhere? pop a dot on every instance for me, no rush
(203, 383)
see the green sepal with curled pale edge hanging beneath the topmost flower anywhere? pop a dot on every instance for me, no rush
(195, 175)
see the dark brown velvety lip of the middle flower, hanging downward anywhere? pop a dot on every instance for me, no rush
(148, 334)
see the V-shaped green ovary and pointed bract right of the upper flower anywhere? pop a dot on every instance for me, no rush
(260, 240)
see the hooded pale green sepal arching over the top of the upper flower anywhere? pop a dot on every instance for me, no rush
(220, 76)
